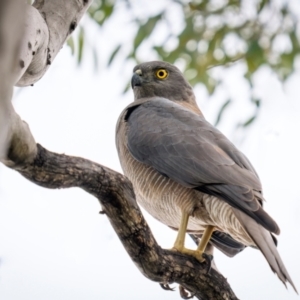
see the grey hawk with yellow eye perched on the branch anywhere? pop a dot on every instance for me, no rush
(187, 174)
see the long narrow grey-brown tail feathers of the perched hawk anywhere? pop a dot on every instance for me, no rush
(263, 240)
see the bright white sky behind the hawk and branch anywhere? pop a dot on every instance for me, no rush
(55, 245)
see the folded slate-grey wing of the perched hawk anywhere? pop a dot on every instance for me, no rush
(186, 148)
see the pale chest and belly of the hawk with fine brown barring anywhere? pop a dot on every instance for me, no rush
(160, 196)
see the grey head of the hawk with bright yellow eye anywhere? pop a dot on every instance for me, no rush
(160, 79)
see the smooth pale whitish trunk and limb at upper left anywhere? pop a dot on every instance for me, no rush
(26, 52)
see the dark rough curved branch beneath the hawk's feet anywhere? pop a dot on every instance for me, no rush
(115, 194)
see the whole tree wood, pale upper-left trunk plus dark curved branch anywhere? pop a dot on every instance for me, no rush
(48, 25)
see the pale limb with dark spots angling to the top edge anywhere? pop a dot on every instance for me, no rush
(48, 25)
